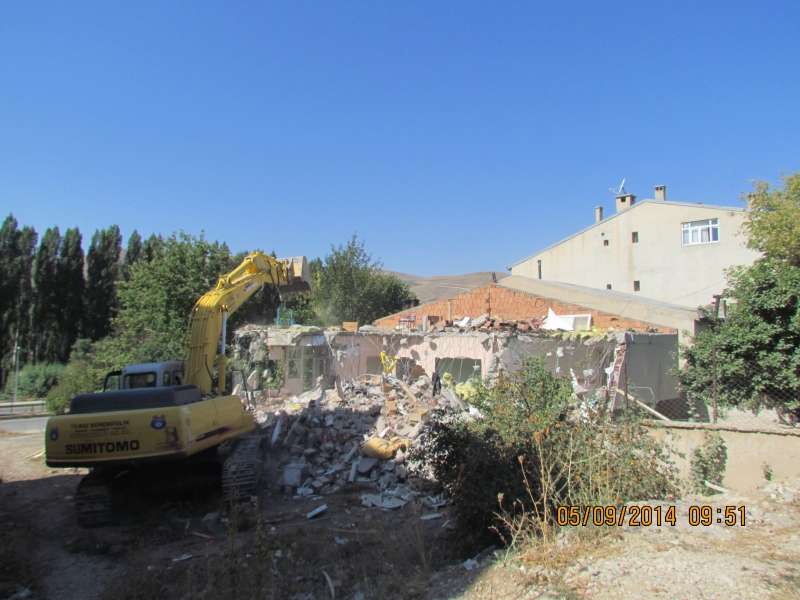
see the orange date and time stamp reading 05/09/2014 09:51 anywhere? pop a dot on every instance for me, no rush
(636, 516)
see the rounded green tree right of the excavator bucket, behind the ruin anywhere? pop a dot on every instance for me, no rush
(351, 287)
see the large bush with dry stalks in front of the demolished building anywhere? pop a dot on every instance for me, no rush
(535, 450)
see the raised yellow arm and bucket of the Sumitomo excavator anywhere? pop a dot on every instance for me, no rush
(207, 322)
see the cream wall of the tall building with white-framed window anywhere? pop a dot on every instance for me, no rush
(665, 269)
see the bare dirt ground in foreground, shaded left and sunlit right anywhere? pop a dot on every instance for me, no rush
(273, 551)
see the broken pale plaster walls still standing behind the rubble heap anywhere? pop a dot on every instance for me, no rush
(584, 357)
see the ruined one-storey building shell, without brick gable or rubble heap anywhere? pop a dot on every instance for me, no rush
(596, 360)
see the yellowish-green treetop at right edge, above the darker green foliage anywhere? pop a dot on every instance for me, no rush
(772, 224)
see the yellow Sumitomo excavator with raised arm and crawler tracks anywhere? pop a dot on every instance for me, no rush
(154, 420)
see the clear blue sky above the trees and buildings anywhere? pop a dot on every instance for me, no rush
(453, 137)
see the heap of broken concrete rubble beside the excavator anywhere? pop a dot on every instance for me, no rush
(359, 431)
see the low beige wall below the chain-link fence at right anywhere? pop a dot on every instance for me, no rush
(746, 453)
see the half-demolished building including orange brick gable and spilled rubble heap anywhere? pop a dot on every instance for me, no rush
(343, 404)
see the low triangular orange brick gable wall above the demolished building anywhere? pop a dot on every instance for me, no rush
(497, 301)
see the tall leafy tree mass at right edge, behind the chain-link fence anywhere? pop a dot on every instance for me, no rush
(757, 346)
